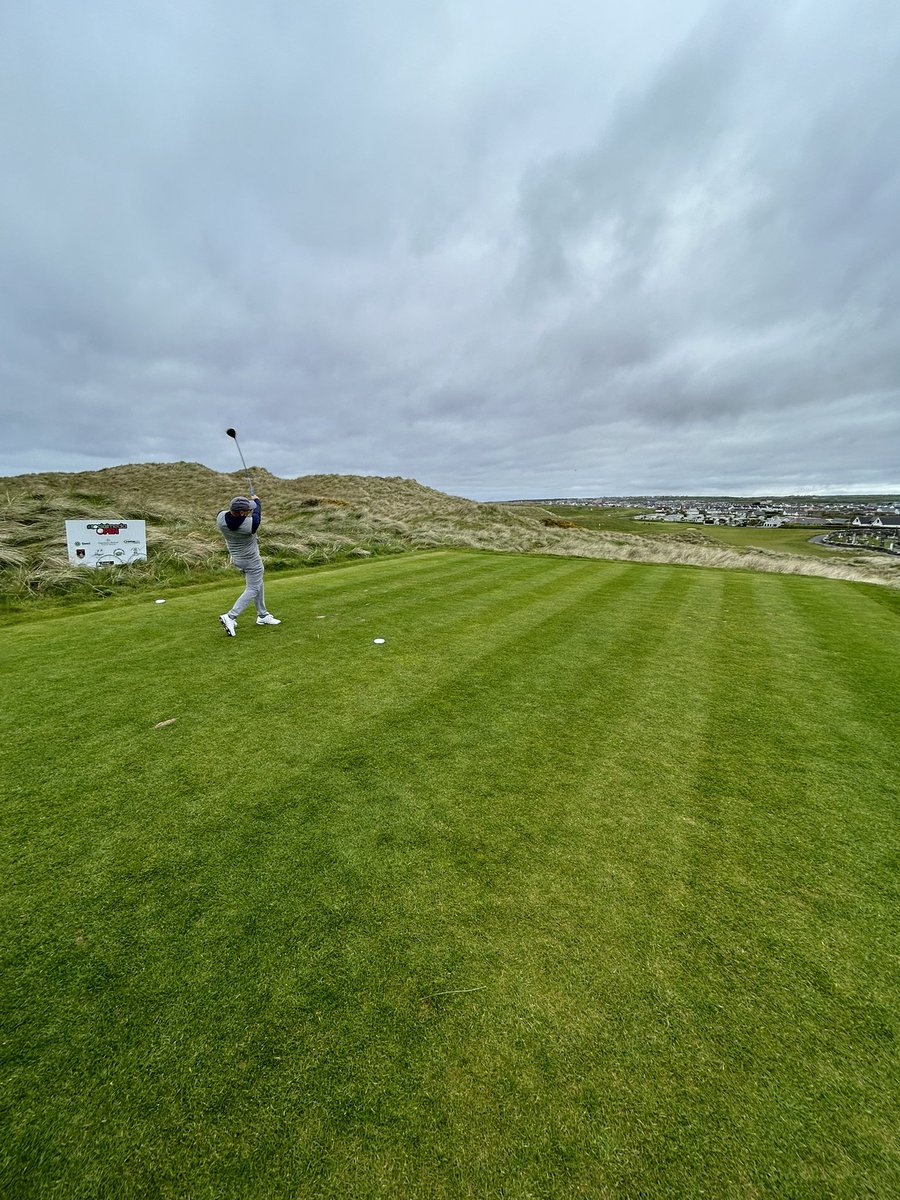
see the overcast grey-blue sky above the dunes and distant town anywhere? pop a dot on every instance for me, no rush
(560, 248)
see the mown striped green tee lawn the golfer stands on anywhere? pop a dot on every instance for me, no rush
(583, 885)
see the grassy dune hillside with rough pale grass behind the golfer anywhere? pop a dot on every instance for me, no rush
(309, 521)
